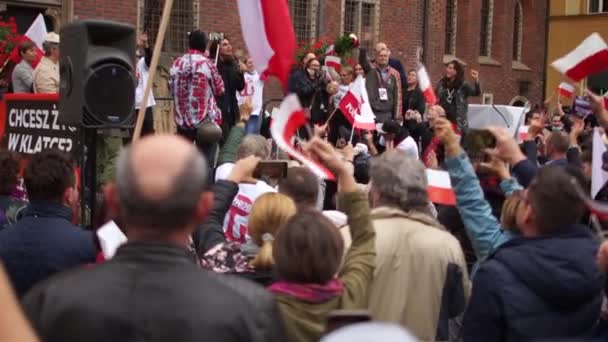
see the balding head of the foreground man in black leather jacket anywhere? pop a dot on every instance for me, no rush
(160, 181)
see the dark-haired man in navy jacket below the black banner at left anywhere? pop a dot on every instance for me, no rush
(45, 241)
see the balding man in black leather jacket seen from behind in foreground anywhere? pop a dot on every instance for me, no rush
(152, 290)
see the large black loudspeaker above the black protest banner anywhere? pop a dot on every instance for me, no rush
(97, 77)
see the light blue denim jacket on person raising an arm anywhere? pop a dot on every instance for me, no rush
(482, 227)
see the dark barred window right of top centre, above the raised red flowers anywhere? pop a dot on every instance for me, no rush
(360, 18)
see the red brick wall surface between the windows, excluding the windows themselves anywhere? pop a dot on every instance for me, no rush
(401, 27)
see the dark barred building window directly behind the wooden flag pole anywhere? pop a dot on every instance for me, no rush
(184, 17)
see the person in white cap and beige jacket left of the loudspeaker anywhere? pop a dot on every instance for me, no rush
(46, 74)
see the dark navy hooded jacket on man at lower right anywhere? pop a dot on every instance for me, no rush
(541, 288)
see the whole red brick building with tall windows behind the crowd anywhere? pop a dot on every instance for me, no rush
(503, 39)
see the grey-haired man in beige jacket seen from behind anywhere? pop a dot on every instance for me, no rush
(420, 280)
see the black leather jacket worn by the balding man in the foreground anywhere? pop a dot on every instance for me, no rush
(151, 292)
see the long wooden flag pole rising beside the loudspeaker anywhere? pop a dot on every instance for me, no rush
(160, 38)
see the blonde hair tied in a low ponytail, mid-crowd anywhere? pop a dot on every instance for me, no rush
(269, 213)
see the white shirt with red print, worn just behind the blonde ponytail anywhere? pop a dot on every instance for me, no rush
(235, 222)
